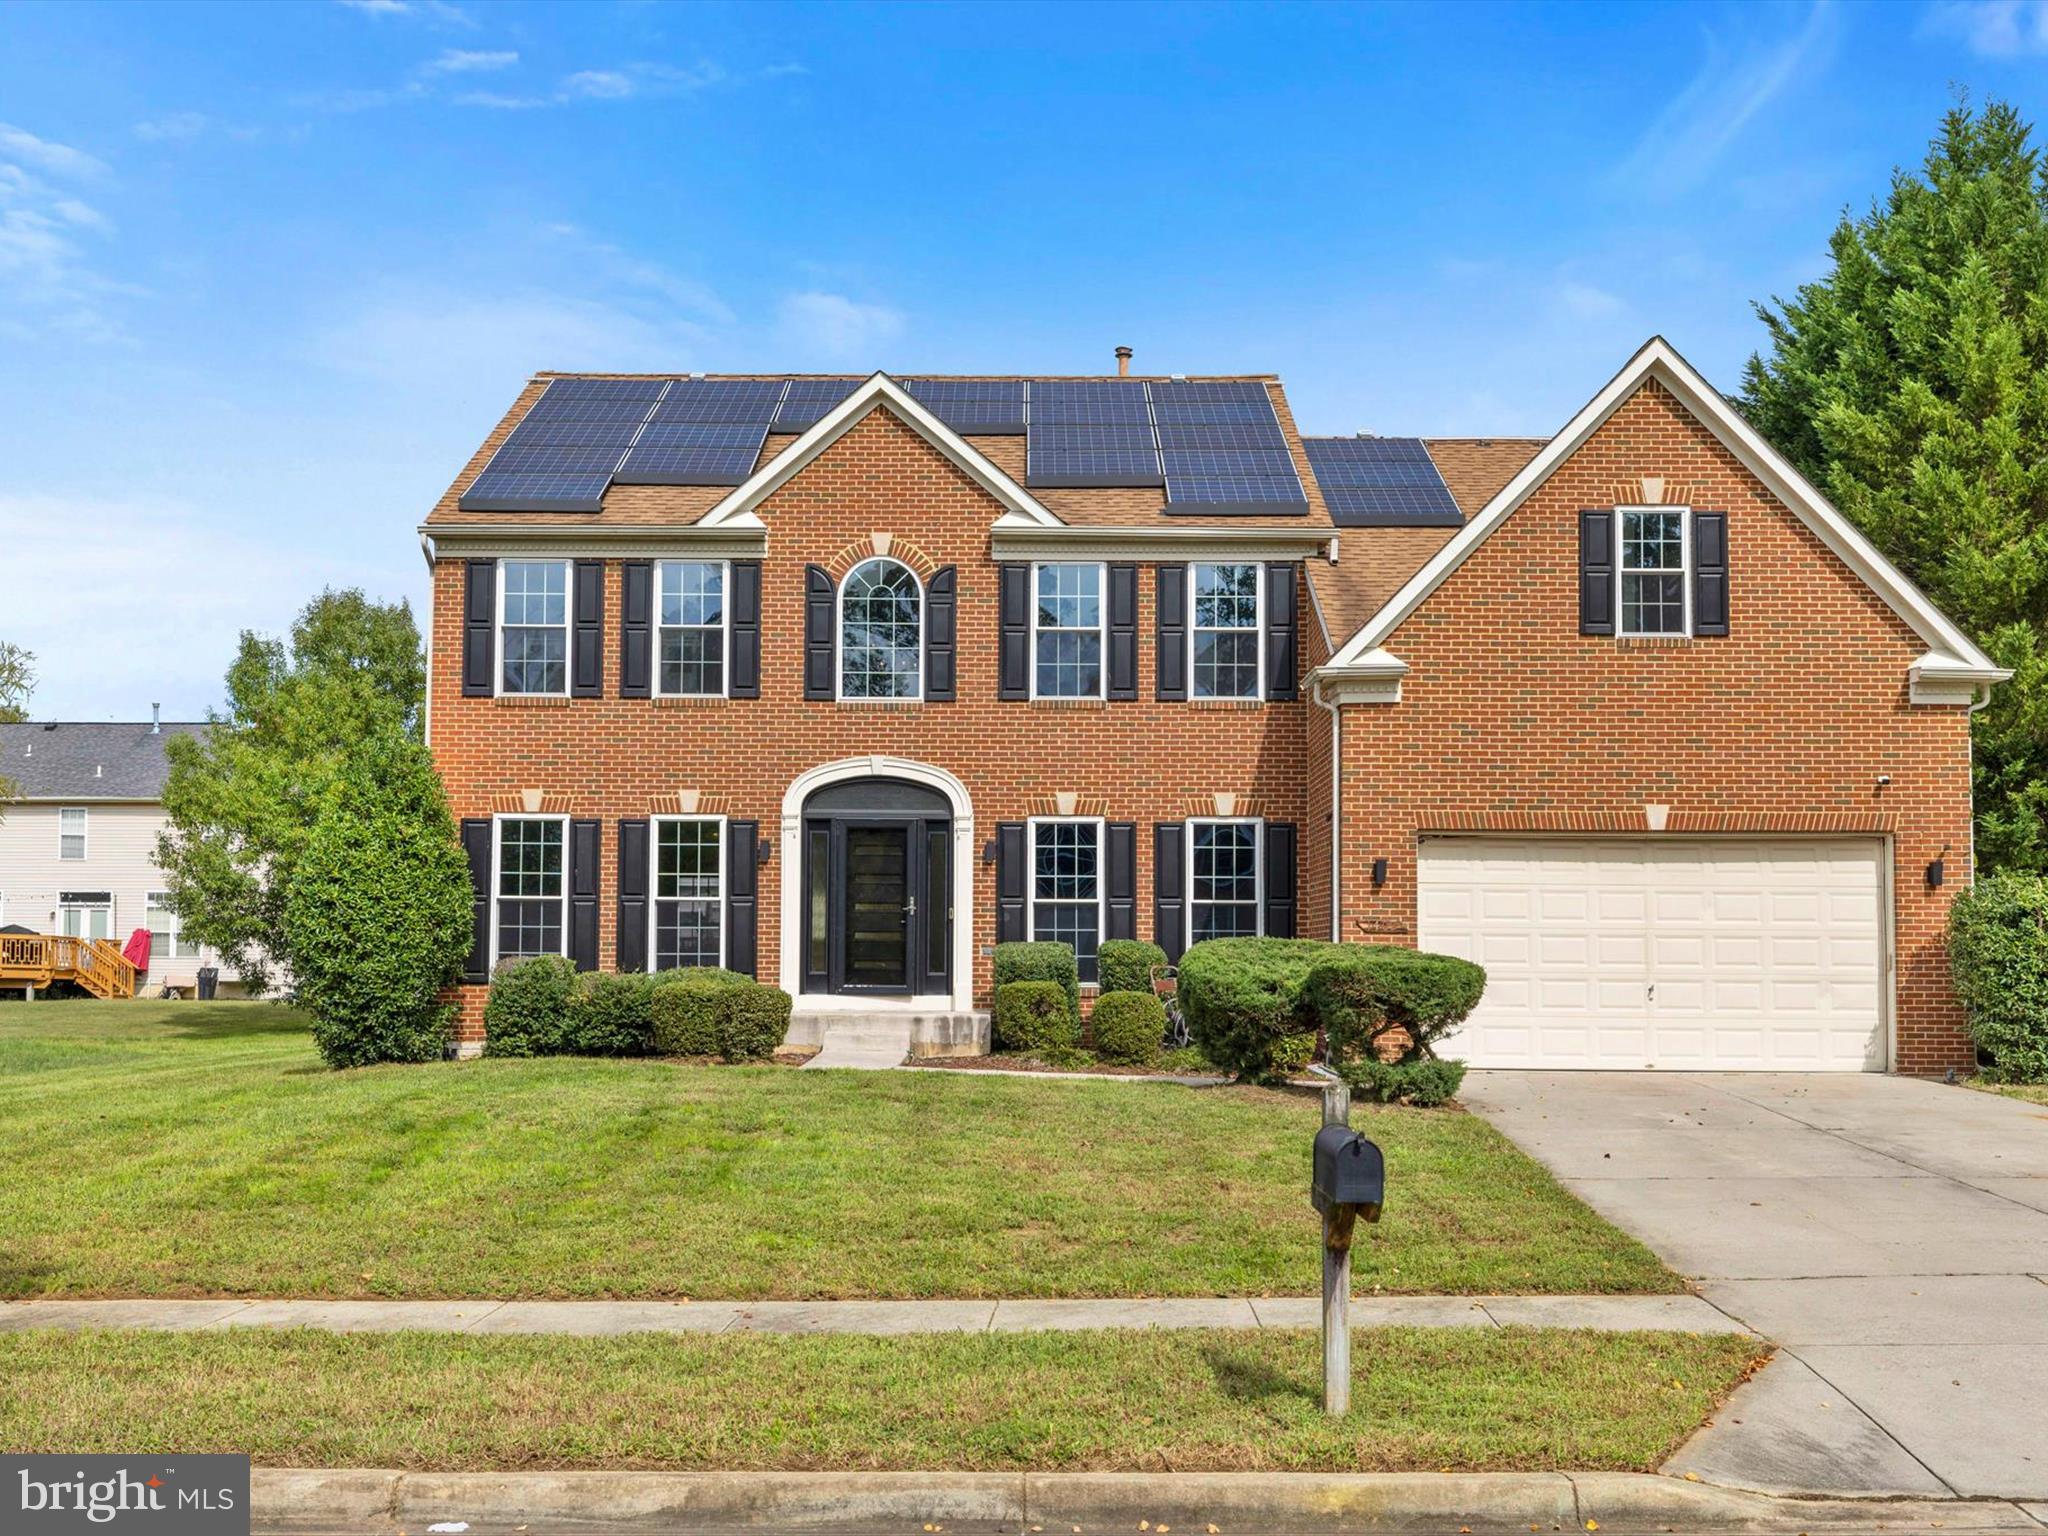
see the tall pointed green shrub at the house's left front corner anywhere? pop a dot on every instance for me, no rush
(378, 916)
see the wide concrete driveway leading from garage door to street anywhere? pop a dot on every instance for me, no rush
(1889, 1234)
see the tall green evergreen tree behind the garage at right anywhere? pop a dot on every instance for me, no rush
(1912, 386)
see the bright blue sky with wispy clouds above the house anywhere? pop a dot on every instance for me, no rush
(269, 273)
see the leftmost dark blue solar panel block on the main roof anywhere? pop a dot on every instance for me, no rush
(564, 452)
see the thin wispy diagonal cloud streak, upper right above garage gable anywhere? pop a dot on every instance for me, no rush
(1684, 144)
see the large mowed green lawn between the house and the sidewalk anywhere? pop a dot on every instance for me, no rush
(183, 1150)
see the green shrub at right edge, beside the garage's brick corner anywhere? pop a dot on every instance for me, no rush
(1998, 953)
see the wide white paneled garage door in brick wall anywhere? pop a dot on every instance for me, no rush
(1664, 953)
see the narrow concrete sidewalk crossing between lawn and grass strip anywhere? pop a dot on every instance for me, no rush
(603, 1318)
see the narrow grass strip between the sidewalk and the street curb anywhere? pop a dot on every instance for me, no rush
(1129, 1402)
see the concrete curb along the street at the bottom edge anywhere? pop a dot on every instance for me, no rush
(1095, 1502)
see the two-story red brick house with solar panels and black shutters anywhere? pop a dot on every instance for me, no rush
(845, 681)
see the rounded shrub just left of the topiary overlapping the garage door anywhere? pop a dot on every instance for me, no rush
(1246, 1009)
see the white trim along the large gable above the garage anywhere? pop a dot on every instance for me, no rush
(1660, 361)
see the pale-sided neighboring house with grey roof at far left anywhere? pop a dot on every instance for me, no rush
(79, 847)
